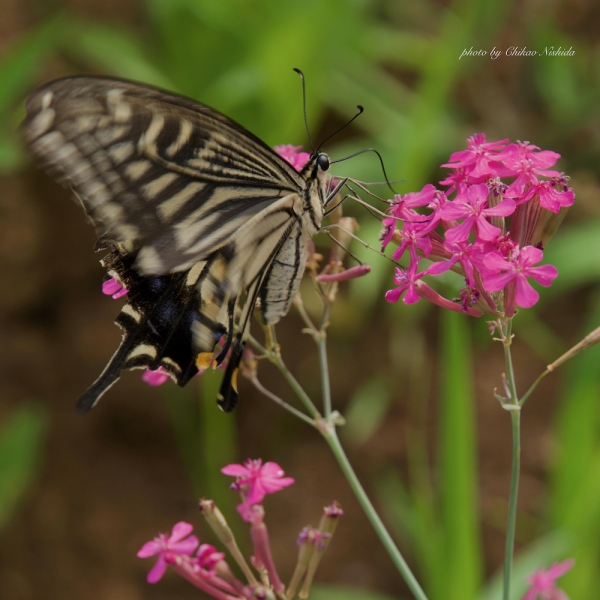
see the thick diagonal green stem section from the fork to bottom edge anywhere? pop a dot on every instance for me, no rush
(332, 439)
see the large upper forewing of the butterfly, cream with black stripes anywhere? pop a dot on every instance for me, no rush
(154, 170)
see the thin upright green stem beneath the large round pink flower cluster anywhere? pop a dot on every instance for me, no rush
(515, 416)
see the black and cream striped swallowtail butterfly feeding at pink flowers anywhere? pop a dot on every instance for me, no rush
(200, 218)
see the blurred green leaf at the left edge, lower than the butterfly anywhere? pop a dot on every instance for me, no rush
(21, 445)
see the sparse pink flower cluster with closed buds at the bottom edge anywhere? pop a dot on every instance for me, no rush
(207, 569)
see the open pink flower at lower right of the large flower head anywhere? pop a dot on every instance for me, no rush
(518, 270)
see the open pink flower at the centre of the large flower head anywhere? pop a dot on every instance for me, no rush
(471, 206)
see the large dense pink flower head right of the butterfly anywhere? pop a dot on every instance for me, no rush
(501, 205)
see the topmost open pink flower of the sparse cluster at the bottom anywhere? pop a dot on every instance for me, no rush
(255, 480)
